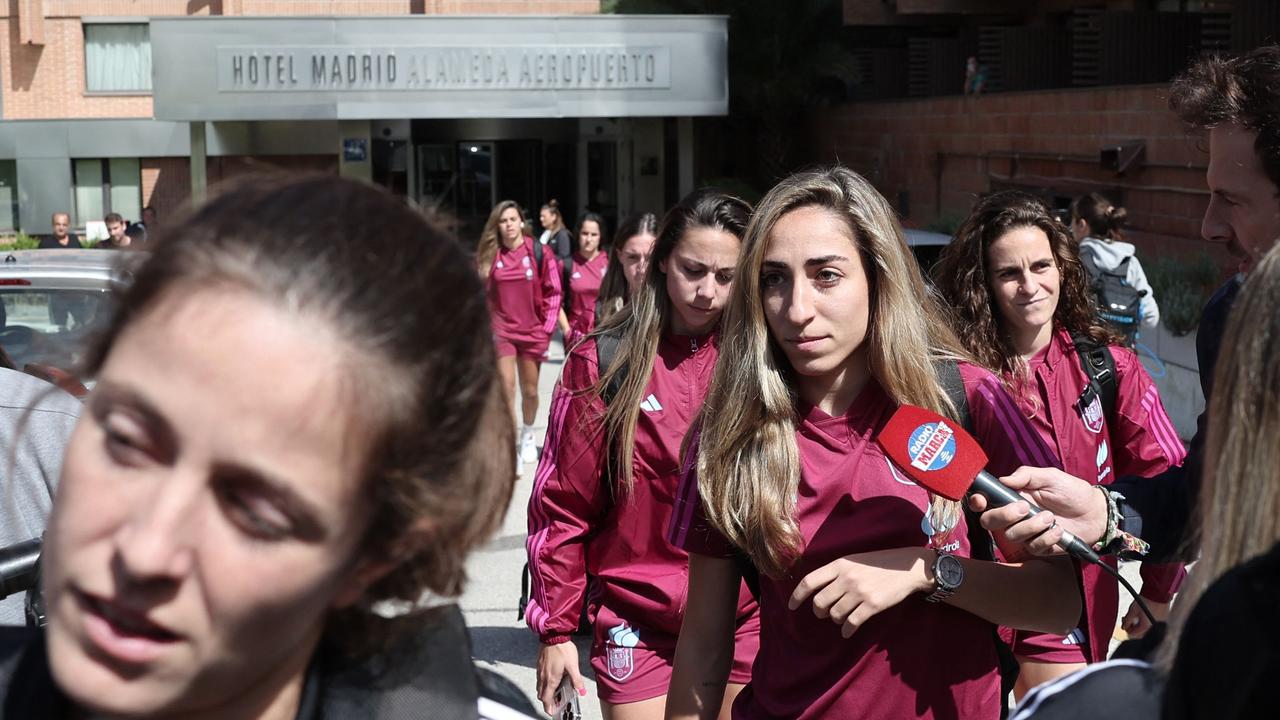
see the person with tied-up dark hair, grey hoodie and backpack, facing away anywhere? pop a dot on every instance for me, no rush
(1096, 225)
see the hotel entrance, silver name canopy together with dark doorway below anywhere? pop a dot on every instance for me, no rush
(455, 115)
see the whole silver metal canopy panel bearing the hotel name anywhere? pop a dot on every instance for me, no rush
(438, 67)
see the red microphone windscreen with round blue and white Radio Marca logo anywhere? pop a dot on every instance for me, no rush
(935, 452)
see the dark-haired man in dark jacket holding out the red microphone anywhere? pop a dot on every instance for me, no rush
(1237, 102)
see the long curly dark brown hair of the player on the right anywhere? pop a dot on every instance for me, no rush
(962, 279)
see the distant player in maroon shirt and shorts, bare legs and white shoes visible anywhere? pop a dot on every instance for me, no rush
(524, 289)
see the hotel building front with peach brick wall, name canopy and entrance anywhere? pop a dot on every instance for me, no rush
(113, 106)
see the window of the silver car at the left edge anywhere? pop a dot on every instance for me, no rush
(51, 327)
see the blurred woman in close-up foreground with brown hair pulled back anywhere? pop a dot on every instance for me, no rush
(278, 441)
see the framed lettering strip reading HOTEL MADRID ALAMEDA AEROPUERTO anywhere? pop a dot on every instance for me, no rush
(337, 69)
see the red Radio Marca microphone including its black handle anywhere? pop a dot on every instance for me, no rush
(944, 459)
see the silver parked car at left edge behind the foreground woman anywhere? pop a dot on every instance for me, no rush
(53, 302)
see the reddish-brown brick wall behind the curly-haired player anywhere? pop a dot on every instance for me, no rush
(943, 152)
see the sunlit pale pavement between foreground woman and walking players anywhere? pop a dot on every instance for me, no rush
(499, 640)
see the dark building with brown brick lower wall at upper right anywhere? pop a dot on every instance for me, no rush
(1073, 102)
